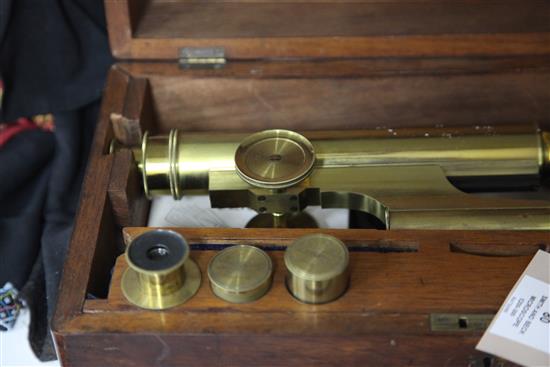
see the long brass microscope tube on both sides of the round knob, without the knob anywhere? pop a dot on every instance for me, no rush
(180, 163)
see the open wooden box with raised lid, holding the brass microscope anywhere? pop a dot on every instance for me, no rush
(416, 297)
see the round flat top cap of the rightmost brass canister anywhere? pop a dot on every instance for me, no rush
(317, 257)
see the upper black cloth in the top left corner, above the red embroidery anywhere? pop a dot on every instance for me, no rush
(54, 55)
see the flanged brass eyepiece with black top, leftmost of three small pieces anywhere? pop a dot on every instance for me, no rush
(160, 274)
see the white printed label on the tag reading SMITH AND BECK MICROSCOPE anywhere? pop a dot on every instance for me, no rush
(526, 316)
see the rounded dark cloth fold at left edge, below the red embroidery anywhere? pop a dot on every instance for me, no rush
(24, 176)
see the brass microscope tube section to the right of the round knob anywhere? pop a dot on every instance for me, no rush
(471, 155)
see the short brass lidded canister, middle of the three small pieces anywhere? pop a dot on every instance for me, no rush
(240, 274)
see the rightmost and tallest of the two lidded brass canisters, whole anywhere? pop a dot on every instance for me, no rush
(317, 268)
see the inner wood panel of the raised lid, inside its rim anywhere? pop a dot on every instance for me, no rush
(274, 19)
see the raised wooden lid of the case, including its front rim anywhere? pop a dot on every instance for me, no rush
(300, 29)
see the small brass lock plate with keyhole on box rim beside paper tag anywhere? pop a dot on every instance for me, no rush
(459, 322)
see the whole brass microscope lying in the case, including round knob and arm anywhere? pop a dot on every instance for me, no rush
(405, 181)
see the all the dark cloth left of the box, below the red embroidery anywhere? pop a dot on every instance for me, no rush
(38, 206)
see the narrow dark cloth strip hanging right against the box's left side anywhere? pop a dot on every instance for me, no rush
(73, 137)
